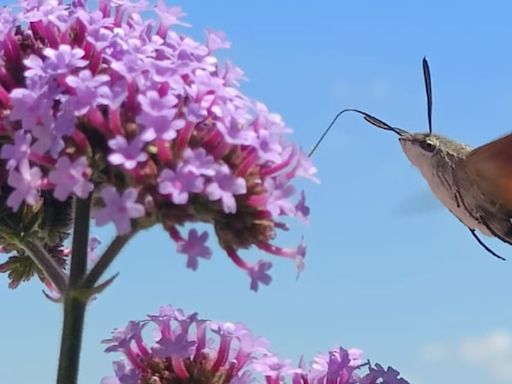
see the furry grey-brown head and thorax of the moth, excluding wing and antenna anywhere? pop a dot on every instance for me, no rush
(438, 159)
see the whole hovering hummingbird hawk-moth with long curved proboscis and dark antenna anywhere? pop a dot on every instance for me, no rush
(475, 184)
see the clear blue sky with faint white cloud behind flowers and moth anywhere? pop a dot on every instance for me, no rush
(388, 269)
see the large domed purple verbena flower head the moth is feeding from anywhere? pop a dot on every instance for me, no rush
(146, 120)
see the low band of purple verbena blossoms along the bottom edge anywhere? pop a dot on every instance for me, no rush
(183, 352)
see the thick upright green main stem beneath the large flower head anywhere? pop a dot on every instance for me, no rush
(75, 304)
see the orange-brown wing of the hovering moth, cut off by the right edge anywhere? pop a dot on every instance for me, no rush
(490, 168)
